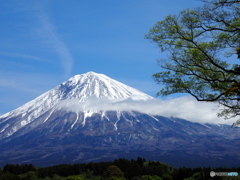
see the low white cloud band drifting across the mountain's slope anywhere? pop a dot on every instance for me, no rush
(183, 107)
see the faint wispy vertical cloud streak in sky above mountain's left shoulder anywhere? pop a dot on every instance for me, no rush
(49, 37)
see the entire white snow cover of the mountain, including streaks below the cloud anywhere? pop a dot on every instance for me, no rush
(89, 92)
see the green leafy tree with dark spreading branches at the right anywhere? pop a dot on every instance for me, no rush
(203, 50)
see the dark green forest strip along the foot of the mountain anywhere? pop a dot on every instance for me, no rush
(120, 169)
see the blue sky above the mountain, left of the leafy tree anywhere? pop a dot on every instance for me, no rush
(45, 42)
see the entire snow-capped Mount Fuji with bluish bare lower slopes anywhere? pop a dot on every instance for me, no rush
(91, 117)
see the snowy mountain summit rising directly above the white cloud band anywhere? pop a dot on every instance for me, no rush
(91, 84)
